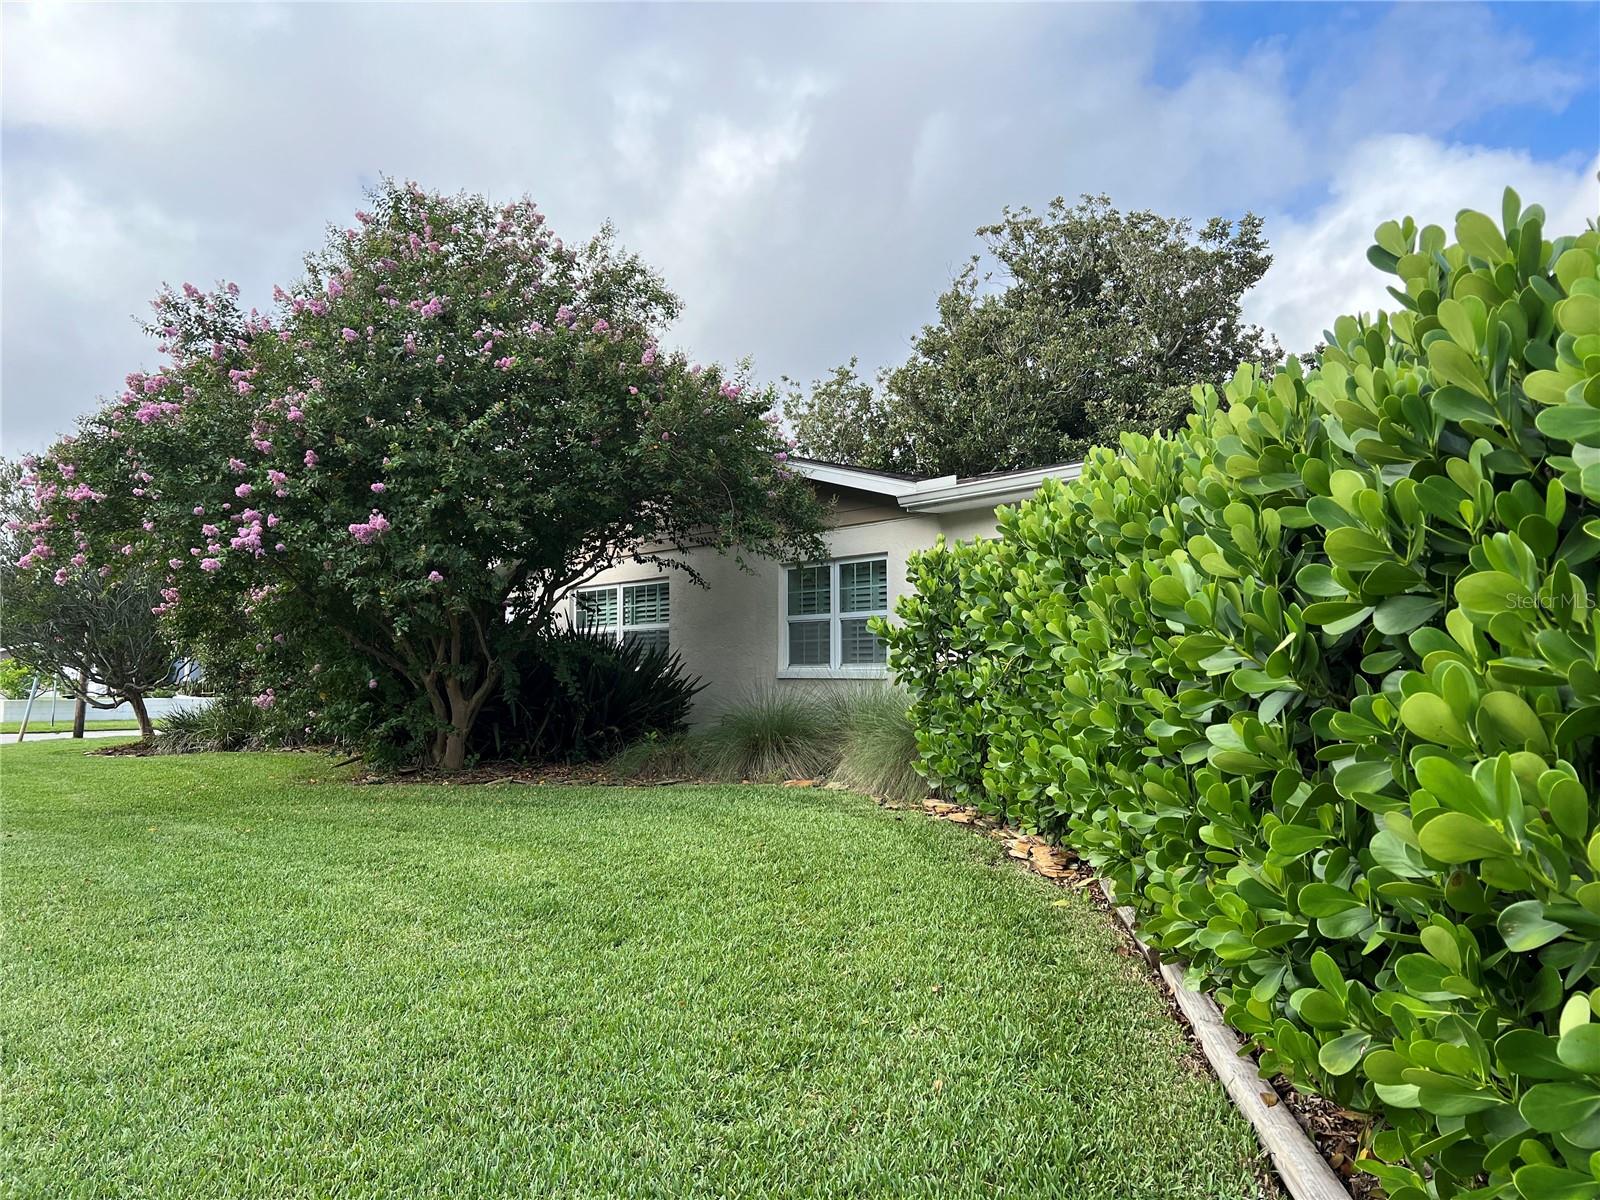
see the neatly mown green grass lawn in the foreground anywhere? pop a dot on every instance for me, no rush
(234, 975)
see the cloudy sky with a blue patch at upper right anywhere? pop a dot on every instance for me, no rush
(806, 177)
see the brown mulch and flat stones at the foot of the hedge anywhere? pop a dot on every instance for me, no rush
(1338, 1134)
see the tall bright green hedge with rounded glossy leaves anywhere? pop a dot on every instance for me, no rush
(1316, 686)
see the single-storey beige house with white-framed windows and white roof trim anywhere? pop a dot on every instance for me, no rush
(801, 625)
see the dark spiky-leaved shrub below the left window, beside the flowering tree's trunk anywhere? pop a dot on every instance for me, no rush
(575, 695)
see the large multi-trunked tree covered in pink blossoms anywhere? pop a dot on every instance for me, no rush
(375, 495)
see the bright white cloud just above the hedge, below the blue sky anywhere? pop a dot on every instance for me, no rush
(1321, 268)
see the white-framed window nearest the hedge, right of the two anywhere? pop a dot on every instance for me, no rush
(826, 614)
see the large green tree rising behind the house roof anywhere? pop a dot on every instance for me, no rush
(1100, 326)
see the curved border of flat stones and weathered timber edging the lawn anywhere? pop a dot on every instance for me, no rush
(1300, 1166)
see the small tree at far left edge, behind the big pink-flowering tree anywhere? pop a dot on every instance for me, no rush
(76, 622)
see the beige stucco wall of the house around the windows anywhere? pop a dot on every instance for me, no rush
(729, 633)
